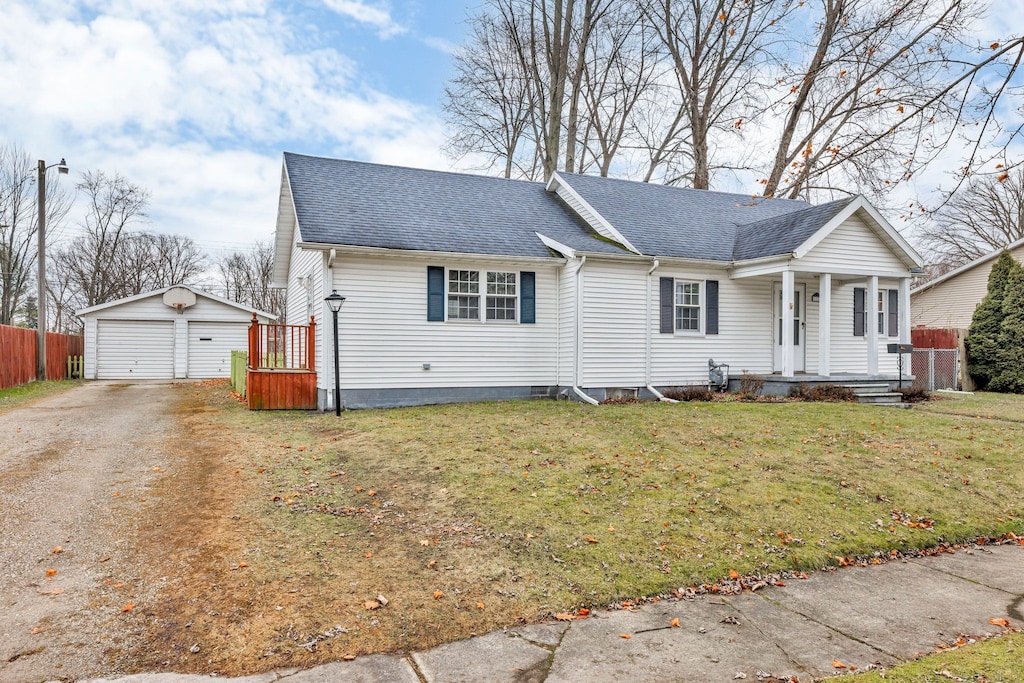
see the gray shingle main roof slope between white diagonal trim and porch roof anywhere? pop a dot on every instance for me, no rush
(663, 221)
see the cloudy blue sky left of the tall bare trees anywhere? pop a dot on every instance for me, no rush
(197, 100)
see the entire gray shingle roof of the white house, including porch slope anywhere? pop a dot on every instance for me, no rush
(342, 202)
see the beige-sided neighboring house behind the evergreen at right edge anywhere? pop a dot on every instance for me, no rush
(949, 303)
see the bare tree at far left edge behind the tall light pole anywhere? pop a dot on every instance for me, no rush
(19, 225)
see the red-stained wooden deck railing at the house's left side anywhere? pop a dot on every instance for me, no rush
(281, 374)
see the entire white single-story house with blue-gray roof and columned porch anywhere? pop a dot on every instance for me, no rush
(464, 287)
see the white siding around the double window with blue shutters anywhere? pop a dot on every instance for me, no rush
(386, 339)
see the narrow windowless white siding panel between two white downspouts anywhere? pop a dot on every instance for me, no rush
(615, 325)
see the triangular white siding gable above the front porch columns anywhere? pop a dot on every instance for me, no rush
(852, 246)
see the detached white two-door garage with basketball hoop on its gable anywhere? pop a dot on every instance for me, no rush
(175, 333)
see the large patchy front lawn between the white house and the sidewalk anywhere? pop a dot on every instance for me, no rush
(477, 517)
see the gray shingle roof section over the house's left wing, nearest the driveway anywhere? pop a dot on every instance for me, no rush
(369, 205)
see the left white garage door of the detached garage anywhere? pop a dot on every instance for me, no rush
(136, 350)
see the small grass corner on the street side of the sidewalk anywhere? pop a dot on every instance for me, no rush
(995, 661)
